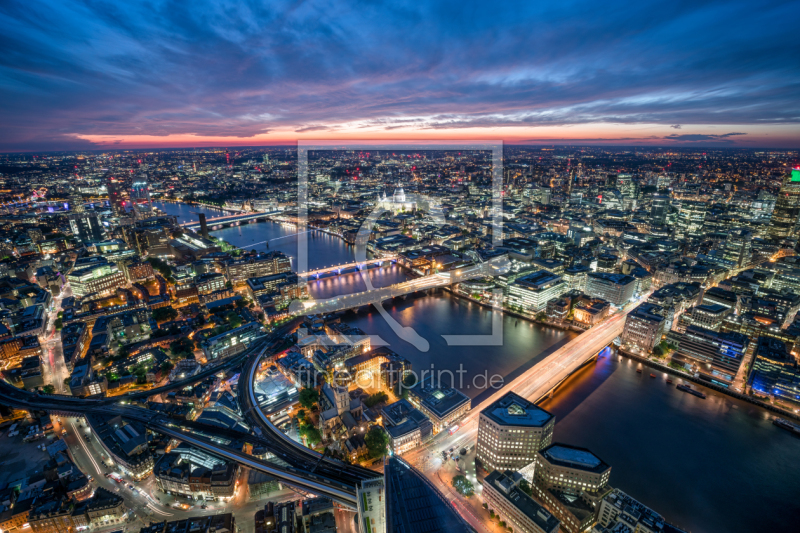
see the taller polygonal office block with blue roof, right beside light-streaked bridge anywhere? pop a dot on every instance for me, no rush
(511, 431)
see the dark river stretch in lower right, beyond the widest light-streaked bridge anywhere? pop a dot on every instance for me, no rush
(703, 464)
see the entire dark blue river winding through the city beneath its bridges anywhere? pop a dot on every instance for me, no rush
(714, 465)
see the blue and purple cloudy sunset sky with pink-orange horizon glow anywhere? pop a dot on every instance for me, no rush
(94, 74)
